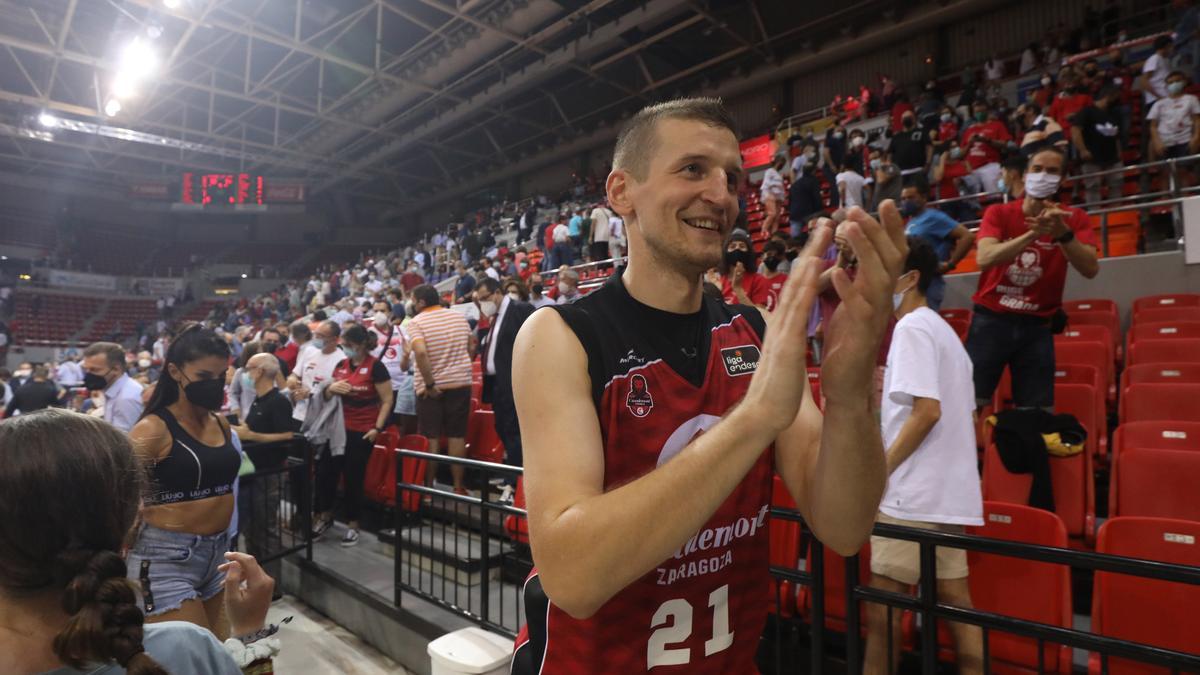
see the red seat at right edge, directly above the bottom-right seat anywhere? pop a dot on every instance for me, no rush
(1156, 483)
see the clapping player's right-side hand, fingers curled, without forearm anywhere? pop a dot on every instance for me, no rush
(856, 331)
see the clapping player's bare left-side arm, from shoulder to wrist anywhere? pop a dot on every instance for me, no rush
(590, 545)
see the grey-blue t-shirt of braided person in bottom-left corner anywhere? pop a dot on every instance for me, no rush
(179, 648)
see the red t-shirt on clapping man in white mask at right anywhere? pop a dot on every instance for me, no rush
(1033, 284)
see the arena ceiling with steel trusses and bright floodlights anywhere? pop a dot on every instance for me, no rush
(386, 100)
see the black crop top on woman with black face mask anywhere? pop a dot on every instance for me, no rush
(191, 470)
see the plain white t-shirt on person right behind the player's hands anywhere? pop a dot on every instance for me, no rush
(939, 482)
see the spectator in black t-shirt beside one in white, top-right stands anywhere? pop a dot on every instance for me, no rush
(1095, 136)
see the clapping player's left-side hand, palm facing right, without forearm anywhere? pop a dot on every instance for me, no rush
(779, 386)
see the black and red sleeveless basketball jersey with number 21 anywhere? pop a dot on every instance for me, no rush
(703, 611)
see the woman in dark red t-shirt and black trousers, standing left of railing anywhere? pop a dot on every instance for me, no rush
(365, 389)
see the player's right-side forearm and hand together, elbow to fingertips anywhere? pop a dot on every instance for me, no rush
(836, 471)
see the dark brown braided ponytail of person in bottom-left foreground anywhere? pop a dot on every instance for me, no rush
(105, 619)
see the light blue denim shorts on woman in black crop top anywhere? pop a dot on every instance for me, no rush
(175, 568)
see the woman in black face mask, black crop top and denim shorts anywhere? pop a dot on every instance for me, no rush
(193, 463)
